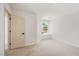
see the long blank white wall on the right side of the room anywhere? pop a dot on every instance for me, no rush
(66, 29)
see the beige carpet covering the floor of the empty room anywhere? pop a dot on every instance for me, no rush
(45, 48)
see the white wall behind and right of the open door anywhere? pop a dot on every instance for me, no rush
(30, 26)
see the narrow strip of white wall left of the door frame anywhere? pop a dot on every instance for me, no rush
(1, 29)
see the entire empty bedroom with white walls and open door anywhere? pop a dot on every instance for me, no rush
(40, 29)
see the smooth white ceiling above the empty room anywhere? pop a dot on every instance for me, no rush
(45, 7)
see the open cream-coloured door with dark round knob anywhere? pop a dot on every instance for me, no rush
(17, 32)
